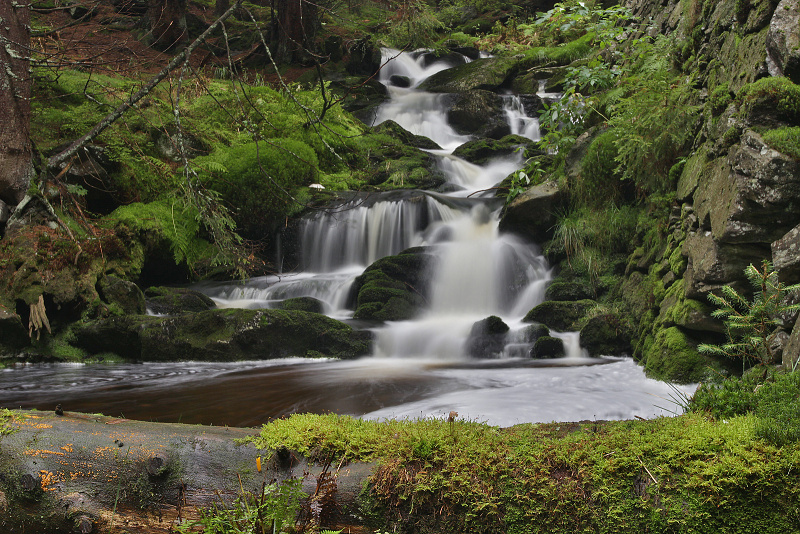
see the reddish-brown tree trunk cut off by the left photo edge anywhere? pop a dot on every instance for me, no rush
(16, 153)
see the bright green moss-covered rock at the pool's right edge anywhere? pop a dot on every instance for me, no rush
(672, 355)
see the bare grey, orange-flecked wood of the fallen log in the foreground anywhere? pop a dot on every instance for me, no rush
(96, 474)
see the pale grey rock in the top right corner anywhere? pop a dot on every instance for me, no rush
(783, 41)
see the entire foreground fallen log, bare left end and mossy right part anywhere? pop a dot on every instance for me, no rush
(687, 473)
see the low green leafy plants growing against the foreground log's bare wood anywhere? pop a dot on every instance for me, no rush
(274, 510)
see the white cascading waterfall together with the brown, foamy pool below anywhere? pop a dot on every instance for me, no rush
(420, 367)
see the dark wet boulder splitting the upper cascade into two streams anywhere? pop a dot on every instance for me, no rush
(478, 113)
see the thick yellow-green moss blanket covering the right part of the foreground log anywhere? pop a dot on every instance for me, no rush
(679, 474)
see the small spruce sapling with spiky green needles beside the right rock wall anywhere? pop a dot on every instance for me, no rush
(750, 323)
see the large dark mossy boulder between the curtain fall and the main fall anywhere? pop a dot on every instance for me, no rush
(393, 288)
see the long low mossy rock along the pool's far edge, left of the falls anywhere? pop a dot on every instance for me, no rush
(223, 335)
